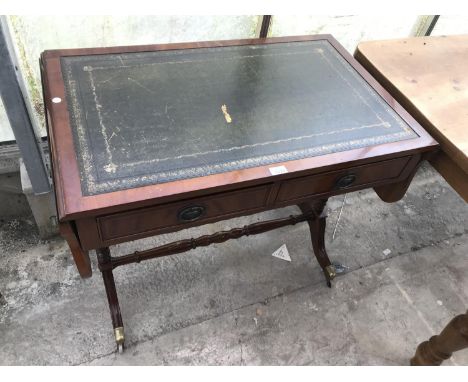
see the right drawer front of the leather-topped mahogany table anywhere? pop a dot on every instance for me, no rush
(340, 180)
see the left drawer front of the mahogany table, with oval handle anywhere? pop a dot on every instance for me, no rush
(198, 210)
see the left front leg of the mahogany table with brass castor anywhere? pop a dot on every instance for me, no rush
(105, 266)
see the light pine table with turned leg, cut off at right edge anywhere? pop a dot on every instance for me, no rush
(429, 77)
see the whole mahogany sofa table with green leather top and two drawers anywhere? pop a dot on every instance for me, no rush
(153, 139)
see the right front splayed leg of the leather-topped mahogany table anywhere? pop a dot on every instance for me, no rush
(317, 233)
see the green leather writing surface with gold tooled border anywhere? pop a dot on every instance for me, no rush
(154, 117)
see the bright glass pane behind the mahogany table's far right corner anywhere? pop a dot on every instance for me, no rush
(348, 30)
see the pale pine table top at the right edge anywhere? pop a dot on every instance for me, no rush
(429, 77)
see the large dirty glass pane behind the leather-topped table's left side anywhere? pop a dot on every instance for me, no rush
(34, 34)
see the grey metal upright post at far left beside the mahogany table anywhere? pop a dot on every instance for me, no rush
(14, 100)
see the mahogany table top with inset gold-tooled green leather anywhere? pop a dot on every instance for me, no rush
(137, 126)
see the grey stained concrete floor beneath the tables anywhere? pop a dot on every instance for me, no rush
(235, 304)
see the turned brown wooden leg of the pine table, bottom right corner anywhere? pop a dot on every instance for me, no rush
(439, 348)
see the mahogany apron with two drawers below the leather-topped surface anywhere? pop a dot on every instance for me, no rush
(101, 231)
